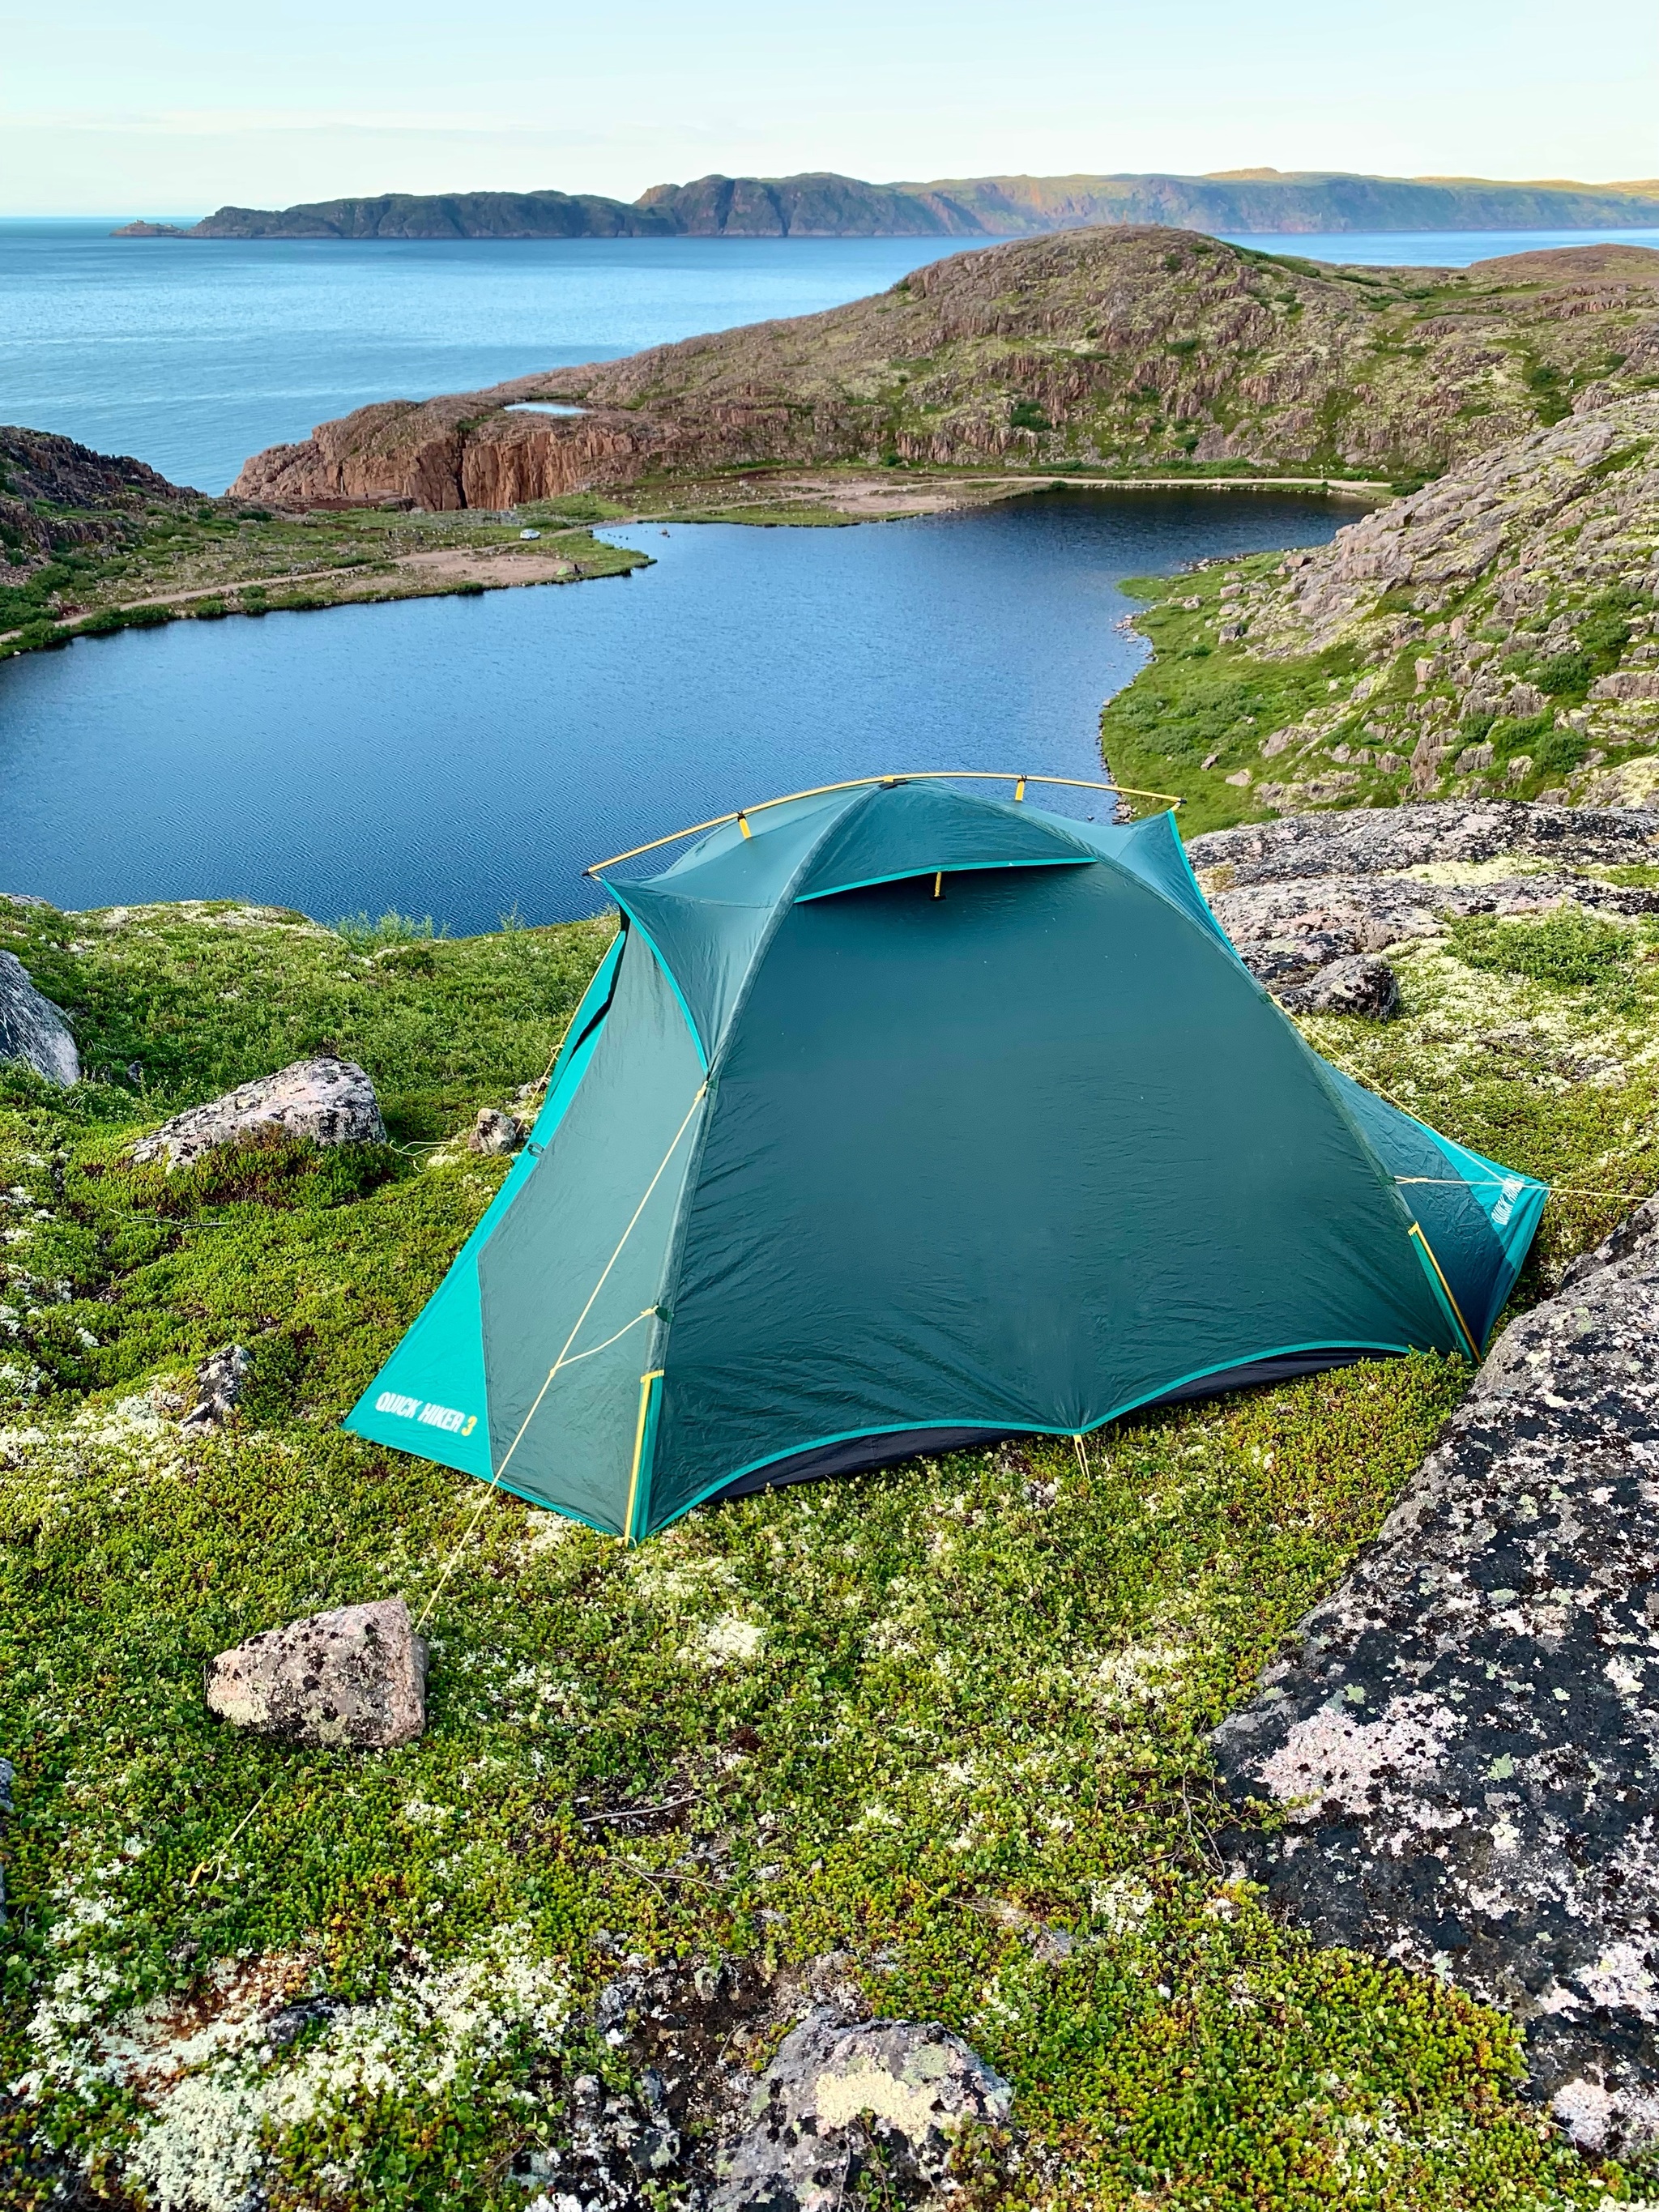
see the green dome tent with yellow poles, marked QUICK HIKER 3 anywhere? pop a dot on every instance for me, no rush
(901, 1120)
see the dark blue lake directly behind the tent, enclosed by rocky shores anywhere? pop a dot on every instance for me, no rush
(468, 758)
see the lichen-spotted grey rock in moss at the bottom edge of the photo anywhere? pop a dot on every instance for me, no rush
(839, 2098)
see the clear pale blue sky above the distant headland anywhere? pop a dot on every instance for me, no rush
(182, 105)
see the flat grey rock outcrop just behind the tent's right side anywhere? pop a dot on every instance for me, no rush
(1313, 899)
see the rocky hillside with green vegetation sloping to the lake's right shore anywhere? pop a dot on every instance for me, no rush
(1490, 636)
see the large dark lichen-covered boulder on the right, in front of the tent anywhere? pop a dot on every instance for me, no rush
(1465, 1740)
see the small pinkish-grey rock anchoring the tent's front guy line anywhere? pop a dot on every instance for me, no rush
(351, 1678)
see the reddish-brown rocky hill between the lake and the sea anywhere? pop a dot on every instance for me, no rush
(1098, 348)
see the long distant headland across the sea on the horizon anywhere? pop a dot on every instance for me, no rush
(826, 207)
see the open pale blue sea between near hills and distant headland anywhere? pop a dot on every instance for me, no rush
(198, 355)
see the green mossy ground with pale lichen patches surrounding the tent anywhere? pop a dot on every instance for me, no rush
(946, 1720)
